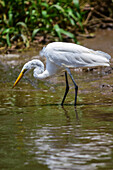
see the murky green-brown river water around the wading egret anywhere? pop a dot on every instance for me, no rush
(37, 133)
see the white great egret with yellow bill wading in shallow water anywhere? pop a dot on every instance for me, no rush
(62, 56)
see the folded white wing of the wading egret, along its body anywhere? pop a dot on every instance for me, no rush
(73, 55)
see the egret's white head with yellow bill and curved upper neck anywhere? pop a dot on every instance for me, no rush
(28, 66)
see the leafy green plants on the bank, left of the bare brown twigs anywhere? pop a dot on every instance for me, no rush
(22, 20)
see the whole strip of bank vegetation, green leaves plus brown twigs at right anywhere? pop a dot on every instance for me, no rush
(23, 21)
